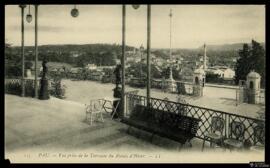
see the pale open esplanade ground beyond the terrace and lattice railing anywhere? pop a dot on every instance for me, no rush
(222, 99)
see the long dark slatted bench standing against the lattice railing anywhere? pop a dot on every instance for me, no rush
(165, 124)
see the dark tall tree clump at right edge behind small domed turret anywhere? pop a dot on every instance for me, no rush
(250, 58)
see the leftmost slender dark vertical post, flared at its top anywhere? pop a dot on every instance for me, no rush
(22, 48)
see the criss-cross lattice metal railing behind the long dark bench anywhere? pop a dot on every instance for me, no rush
(204, 114)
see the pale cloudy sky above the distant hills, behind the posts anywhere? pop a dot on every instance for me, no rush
(192, 25)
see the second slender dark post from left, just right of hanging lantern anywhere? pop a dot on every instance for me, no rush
(36, 50)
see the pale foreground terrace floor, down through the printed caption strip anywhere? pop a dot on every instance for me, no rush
(54, 130)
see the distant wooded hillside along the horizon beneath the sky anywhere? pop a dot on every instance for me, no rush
(105, 54)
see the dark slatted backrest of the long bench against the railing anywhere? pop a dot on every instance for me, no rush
(165, 119)
